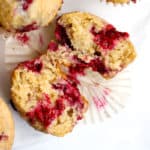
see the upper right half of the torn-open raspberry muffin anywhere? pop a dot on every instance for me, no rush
(99, 45)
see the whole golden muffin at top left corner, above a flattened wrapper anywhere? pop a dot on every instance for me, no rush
(26, 15)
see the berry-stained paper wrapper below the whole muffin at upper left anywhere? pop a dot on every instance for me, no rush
(17, 50)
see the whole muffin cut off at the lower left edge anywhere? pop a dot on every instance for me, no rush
(6, 127)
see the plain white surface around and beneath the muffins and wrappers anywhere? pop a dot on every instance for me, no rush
(128, 130)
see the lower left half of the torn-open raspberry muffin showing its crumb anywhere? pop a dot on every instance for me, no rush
(45, 95)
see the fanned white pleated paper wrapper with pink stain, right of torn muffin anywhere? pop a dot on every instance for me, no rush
(106, 97)
